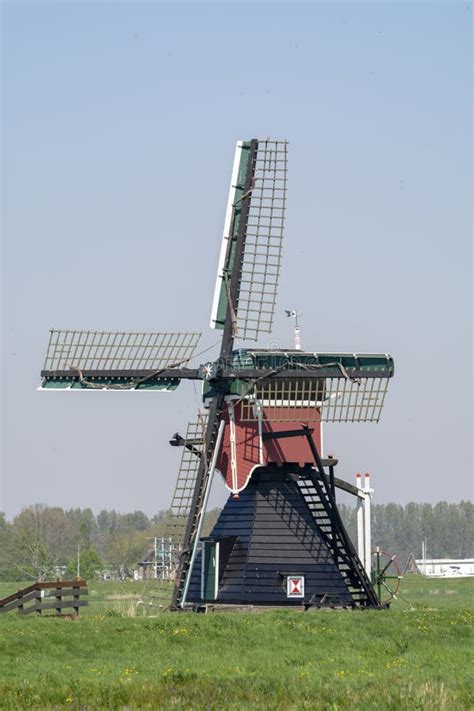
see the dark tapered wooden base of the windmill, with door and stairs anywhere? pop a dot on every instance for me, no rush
(281, 543)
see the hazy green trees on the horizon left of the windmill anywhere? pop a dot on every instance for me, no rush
(44, 542)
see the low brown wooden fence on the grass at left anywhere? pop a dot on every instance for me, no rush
(49, 597)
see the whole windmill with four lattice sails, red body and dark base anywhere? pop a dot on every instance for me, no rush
(279, 539)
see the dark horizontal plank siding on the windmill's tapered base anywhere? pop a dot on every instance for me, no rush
(276, 535)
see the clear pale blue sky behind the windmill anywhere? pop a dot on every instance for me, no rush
(119, 123)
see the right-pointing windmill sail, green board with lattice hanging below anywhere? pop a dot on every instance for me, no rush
(338, 387)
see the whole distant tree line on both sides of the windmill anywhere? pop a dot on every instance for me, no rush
(43, 542)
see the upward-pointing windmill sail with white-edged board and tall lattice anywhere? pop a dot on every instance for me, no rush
(262, 236)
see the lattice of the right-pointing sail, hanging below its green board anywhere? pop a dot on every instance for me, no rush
(335, 399)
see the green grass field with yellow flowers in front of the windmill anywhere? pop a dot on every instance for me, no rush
(119, 655)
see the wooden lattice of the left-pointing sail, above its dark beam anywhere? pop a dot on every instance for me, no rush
(117, 350)
